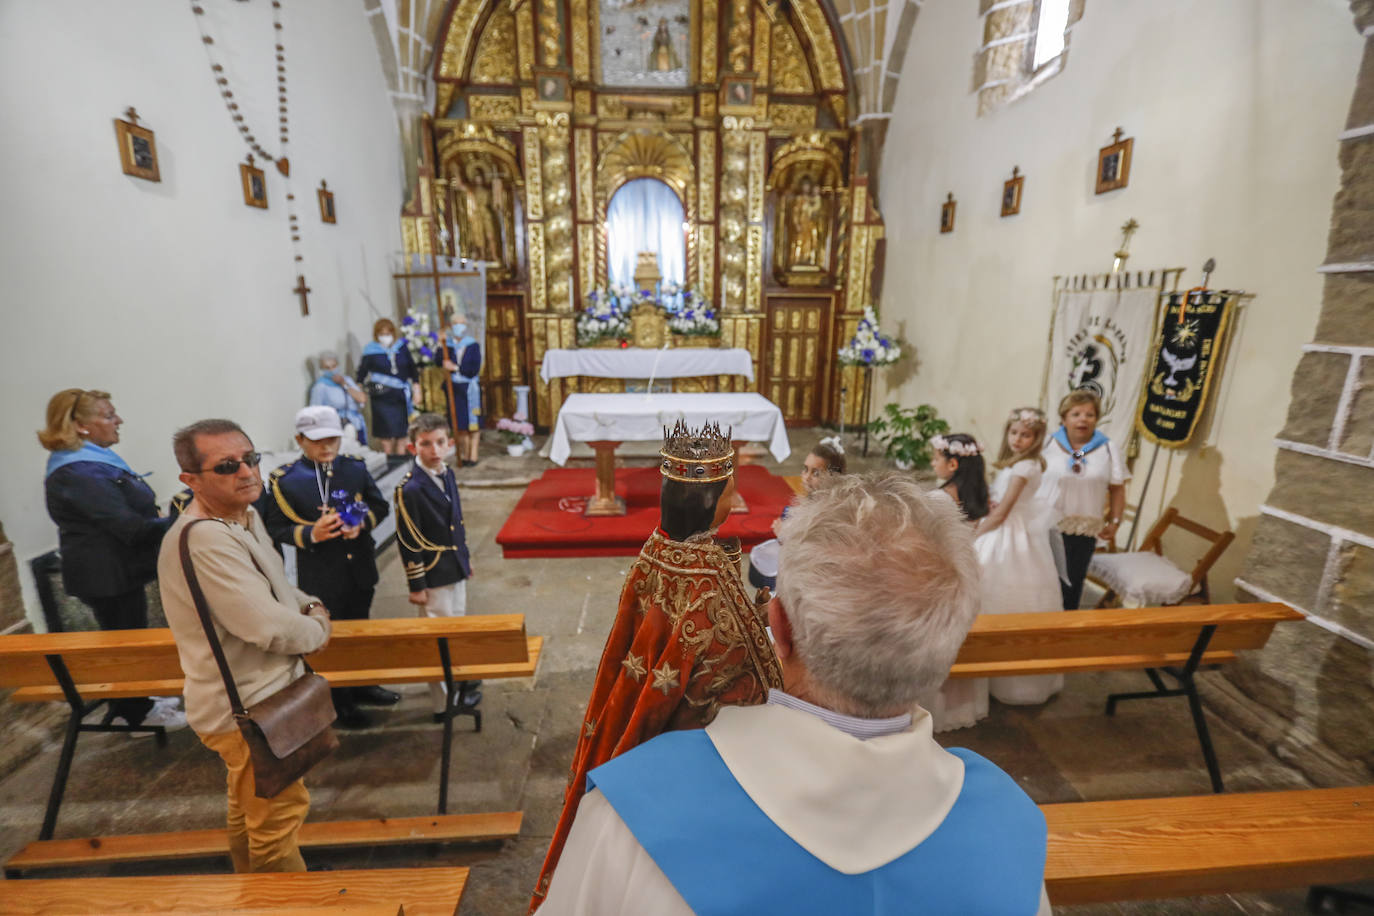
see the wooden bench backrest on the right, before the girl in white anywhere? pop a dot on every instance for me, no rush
(1138, 631)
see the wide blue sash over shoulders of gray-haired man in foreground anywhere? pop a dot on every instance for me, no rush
(726, 856)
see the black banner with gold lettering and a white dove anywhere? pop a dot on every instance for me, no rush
(1184, 365)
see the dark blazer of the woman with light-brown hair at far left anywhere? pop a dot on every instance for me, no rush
(109, 531)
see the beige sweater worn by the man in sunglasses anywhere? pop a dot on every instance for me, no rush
(259, 620)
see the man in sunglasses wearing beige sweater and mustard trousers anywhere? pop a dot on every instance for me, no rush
(263, 624)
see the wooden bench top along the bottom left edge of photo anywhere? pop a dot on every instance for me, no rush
(417, 892)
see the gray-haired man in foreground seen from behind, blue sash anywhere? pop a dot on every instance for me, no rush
(833, 797)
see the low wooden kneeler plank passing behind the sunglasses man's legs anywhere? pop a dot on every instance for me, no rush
(314, 836)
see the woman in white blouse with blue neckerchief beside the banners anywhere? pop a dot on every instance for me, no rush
(1083, 474)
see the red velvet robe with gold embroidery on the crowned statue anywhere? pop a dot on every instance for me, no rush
(686, 642)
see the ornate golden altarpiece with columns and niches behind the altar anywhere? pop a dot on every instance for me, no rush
(546, 108)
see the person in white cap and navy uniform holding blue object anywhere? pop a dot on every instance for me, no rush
(335, 560)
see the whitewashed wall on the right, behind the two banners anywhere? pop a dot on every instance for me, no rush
(1235, 106)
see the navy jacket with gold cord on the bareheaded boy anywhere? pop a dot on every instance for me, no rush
(429, 531)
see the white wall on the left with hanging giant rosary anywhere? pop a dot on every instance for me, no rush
(177, 297)
